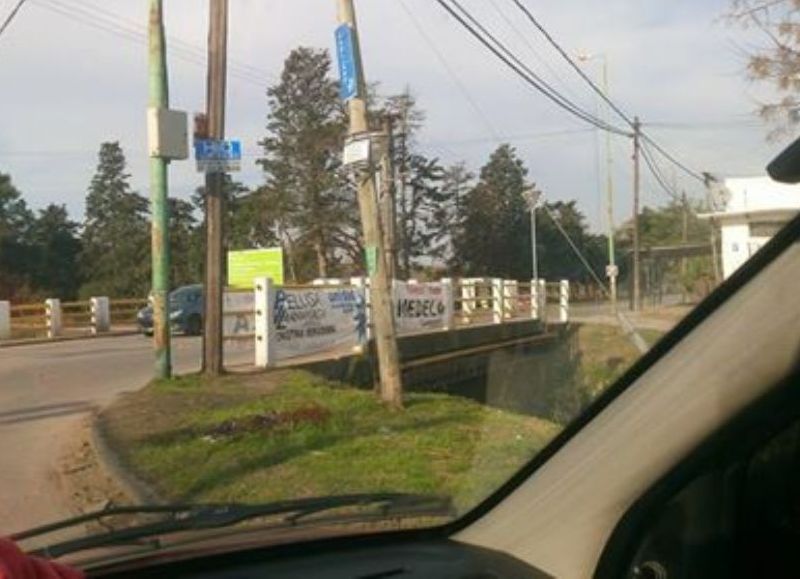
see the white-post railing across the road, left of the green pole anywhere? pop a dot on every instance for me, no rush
(54, 318)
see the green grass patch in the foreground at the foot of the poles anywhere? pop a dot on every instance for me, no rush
(290, 435)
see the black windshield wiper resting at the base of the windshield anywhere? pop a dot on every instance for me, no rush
(211, 516)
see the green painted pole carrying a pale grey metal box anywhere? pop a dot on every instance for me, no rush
(159, 99)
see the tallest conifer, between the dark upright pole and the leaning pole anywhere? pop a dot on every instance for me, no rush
(309, 201)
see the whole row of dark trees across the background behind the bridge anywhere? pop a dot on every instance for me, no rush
(449, 220)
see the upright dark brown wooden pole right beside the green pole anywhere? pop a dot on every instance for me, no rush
(215, 189)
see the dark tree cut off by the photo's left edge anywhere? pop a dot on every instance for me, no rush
(15, 223)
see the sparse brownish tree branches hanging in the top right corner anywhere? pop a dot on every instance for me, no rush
(776, 60)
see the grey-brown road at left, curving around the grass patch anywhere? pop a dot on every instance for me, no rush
(45, 391)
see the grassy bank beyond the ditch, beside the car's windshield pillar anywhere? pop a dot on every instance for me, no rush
(606, 353)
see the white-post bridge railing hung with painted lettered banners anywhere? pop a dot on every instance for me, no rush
(285, 322)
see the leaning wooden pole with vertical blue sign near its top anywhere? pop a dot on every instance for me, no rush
(391, 386)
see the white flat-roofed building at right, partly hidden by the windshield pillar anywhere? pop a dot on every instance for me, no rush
(750, 211)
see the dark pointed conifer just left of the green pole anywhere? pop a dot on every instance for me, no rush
(116, 233)
